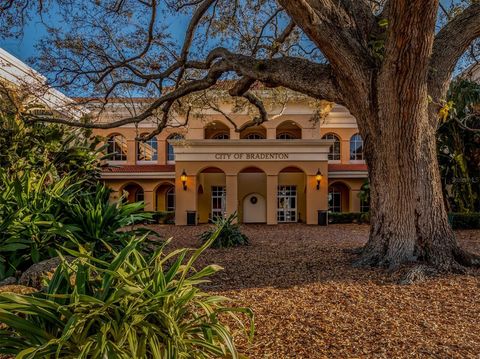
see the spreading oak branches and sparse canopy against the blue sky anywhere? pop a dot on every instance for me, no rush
(167, 50)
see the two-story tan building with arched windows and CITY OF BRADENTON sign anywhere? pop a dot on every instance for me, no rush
(284, 170)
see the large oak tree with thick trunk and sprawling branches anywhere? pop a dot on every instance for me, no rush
(389, 62)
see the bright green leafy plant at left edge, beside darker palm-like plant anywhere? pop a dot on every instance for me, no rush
(31, 208)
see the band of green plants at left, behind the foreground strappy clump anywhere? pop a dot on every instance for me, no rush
(38, 214)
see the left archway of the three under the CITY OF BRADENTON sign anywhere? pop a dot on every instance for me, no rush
(212, 194)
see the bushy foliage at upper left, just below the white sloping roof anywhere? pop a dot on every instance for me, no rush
(39, 147)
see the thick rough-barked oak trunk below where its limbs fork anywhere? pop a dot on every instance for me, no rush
(409, 220)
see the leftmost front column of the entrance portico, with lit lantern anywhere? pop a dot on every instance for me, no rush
(186, 199)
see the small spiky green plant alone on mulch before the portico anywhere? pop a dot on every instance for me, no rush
(229, 233)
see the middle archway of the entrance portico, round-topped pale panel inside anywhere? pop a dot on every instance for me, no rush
(252, 190)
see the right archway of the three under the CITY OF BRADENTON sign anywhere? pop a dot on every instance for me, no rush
(291, 195)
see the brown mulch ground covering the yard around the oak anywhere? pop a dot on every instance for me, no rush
(310, 302)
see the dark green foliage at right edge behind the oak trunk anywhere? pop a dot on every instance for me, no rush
(458, 139)
